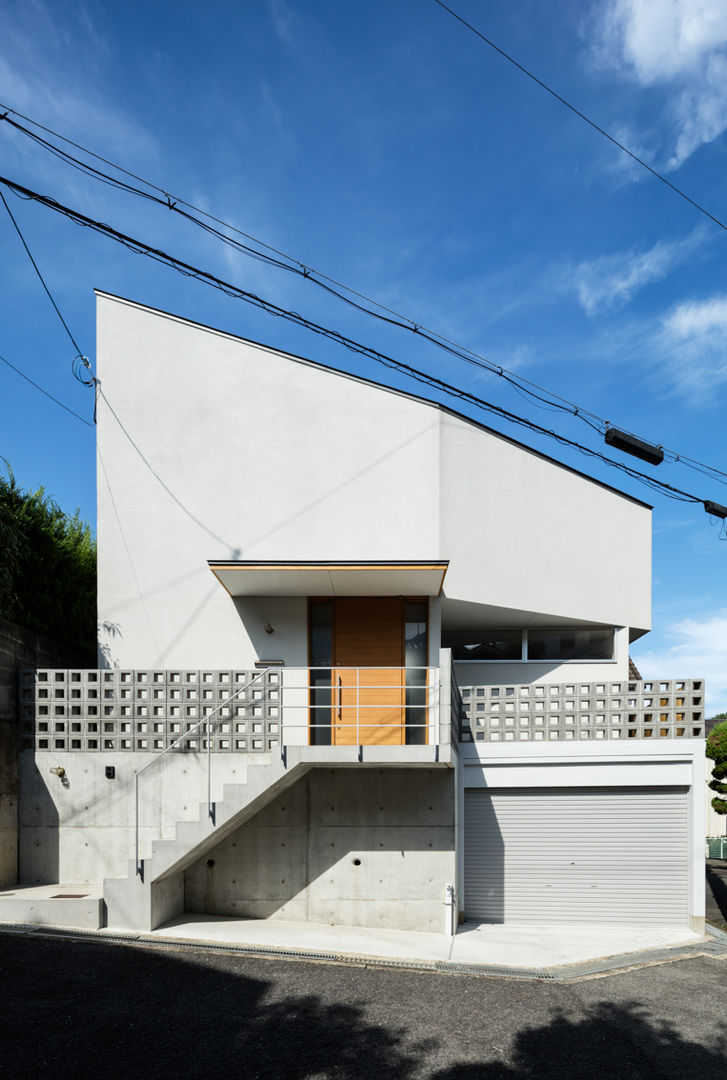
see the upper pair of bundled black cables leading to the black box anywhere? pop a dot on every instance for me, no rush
(537, 394)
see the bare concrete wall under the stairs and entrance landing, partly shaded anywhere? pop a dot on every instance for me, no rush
(348, 847)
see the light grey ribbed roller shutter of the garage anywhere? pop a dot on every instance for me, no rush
(609, 855)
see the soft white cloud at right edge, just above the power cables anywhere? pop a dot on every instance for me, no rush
(695, 343)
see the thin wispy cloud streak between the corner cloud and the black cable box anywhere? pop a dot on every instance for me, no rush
(611, 281)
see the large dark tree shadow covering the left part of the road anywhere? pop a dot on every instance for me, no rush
(89, 1010)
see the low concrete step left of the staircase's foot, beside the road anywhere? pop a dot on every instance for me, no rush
(55, 906)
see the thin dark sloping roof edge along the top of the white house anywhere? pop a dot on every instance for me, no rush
(379, 386)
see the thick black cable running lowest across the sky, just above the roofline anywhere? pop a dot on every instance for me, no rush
(357, 347)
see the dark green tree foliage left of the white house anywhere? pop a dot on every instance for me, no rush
(48, 569)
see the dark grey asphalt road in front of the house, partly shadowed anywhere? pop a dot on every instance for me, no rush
(91, 1010)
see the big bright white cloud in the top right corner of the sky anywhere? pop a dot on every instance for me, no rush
(680, 45)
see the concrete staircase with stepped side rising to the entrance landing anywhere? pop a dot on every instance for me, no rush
(143, 902)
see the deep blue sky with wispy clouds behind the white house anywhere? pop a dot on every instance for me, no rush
(388, 147)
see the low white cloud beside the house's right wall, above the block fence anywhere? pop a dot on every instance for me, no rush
(699, 652)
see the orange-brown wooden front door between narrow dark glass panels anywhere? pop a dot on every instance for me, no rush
(369, 677)
